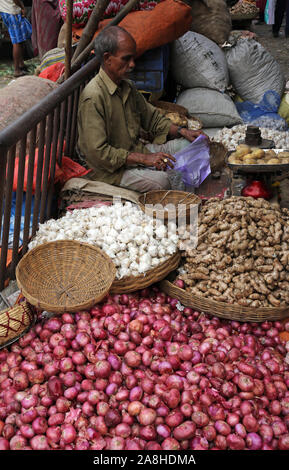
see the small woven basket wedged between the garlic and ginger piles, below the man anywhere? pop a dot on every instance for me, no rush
(165, 198)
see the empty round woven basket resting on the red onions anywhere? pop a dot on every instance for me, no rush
(65, 276)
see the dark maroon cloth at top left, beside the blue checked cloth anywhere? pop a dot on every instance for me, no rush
(46, 24)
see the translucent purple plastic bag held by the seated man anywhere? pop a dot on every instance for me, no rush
(193, 162)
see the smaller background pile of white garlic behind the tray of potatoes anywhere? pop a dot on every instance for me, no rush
(231, 137)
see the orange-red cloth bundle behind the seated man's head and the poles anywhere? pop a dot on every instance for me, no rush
(148, 30)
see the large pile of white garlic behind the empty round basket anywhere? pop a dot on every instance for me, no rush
(134, 241)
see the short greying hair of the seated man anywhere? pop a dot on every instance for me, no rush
(107, 41)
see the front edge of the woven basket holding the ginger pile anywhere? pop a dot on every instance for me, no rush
(223, 310)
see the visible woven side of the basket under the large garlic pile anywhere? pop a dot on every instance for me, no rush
(132, 284)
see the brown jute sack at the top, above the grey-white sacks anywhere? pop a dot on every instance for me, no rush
(211, 18)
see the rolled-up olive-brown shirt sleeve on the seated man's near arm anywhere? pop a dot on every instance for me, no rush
(93, 141)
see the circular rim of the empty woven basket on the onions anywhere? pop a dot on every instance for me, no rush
(60, 308)
